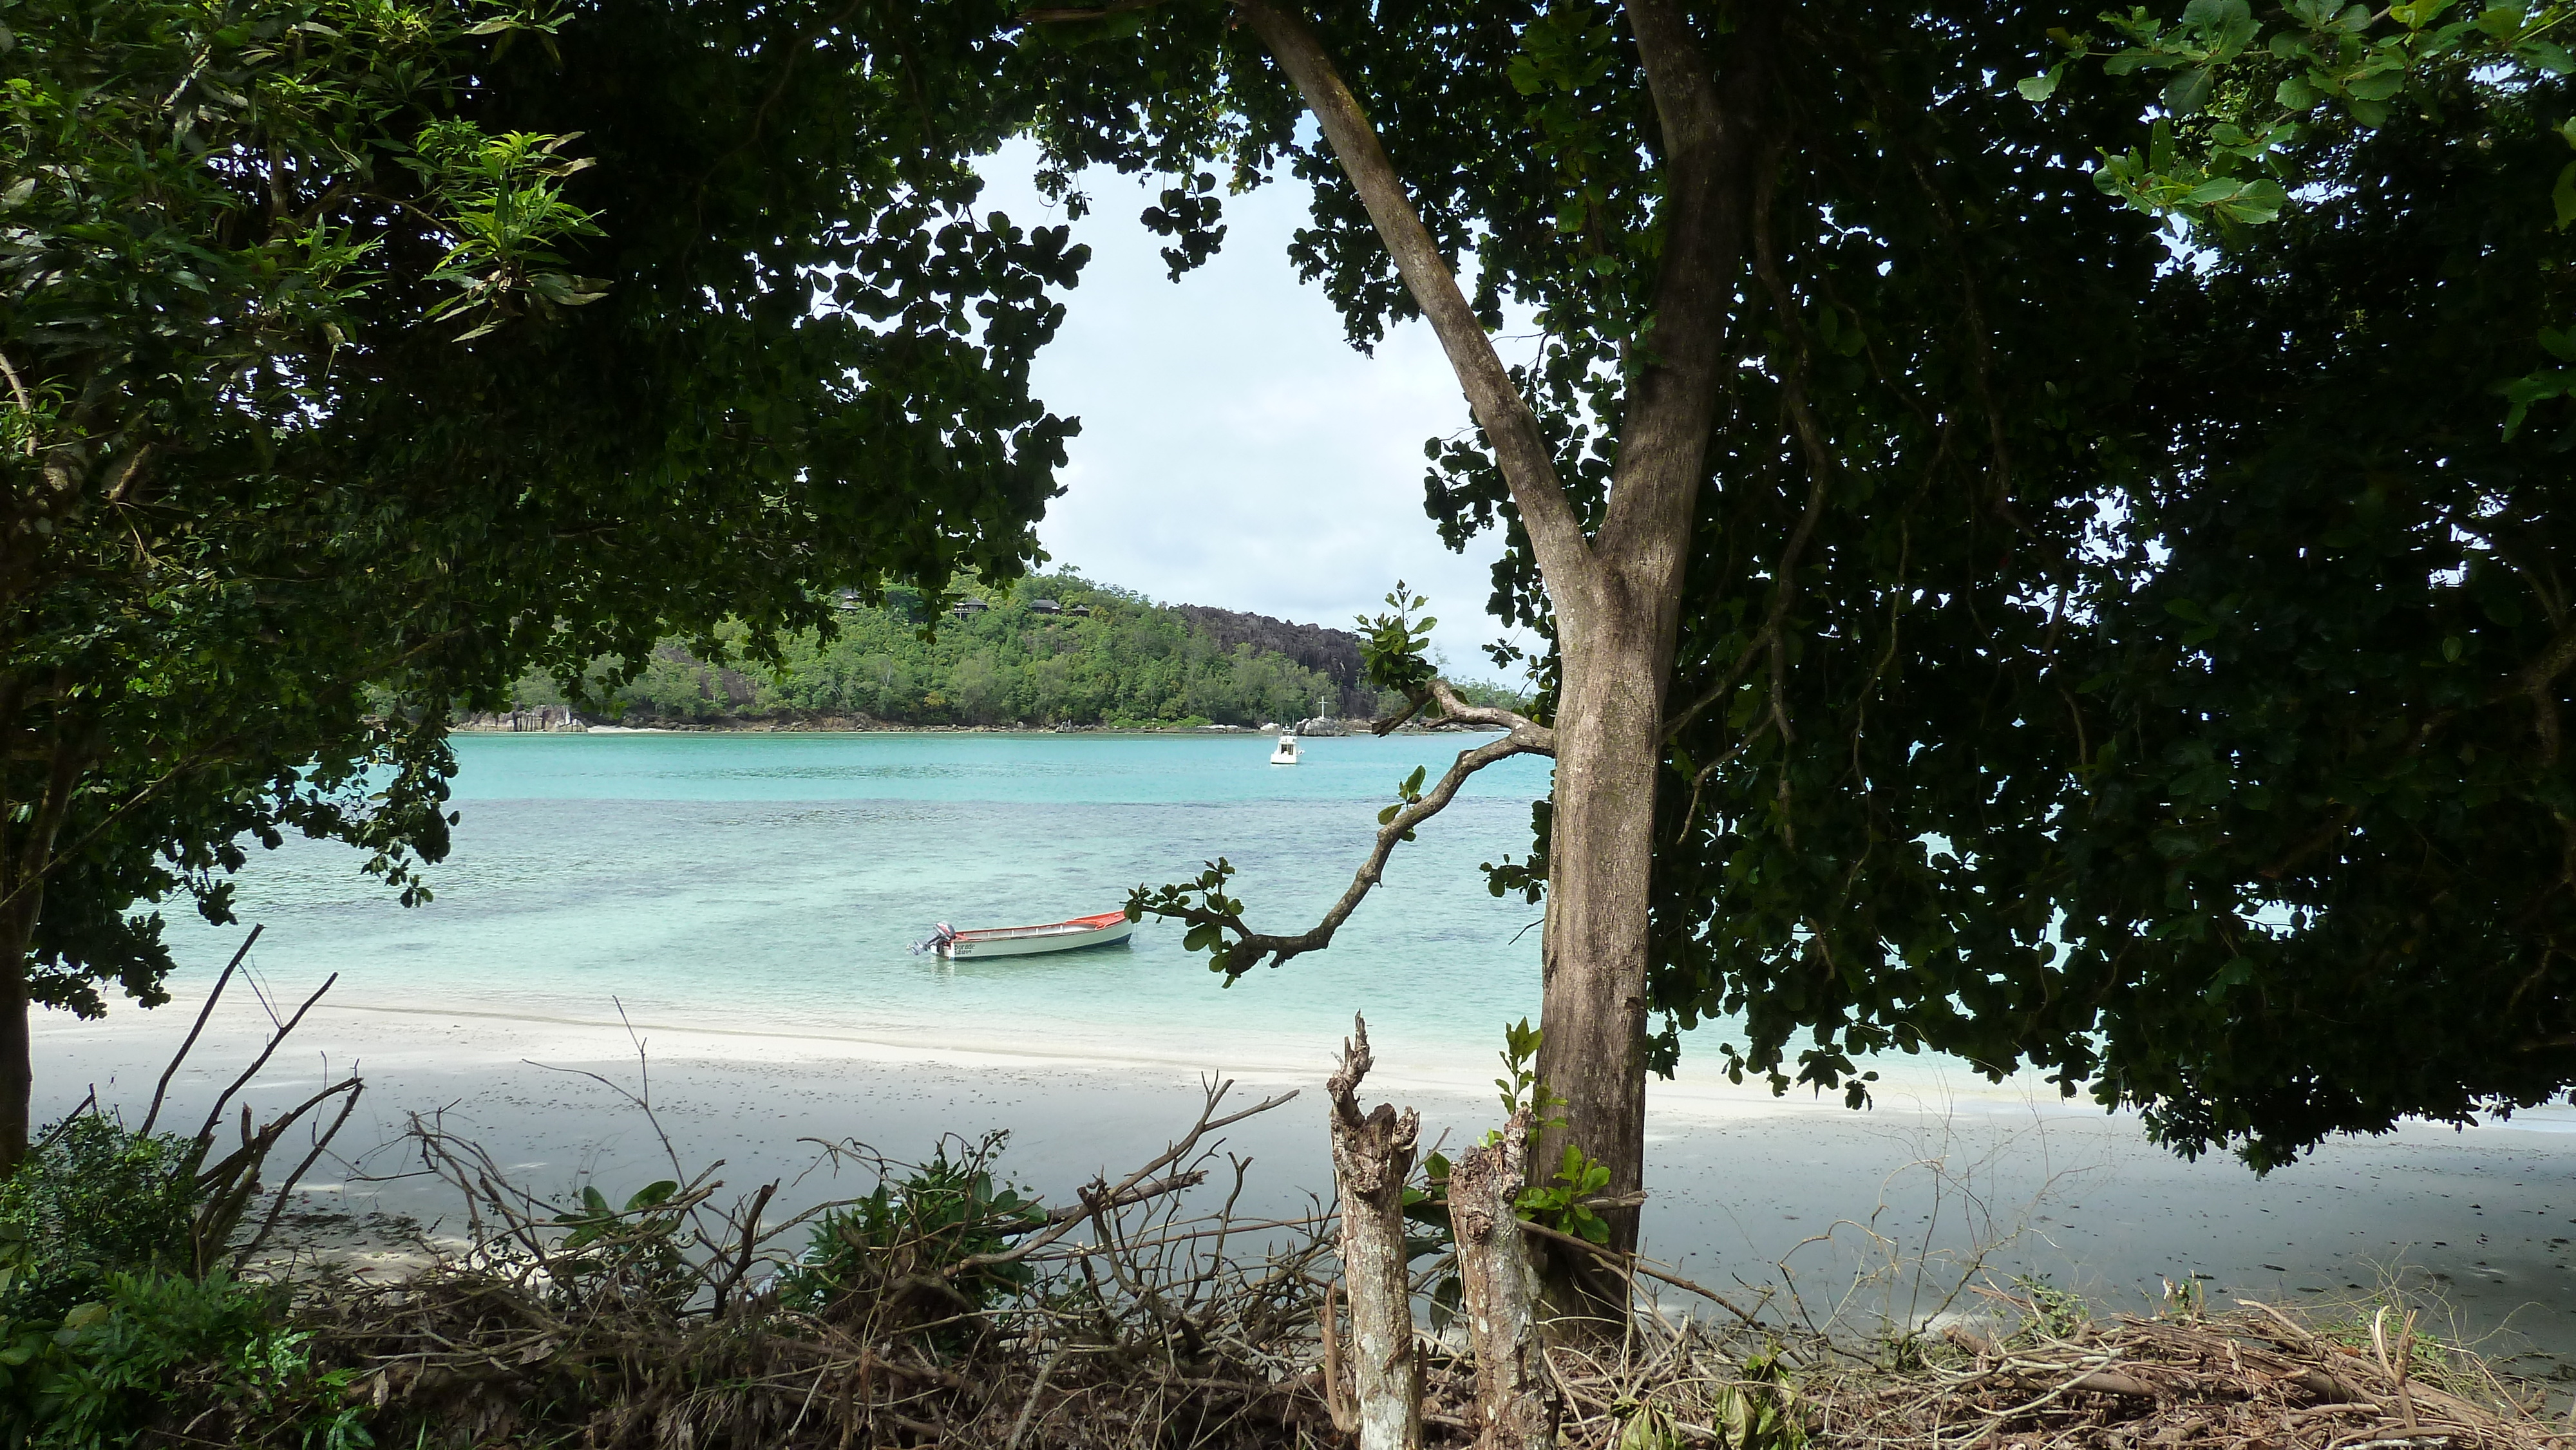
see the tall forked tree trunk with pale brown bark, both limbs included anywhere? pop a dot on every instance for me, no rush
(1616, 591)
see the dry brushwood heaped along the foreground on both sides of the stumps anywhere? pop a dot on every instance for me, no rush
(1142, 1333)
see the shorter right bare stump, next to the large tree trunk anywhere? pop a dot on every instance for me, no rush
(1501, 1289)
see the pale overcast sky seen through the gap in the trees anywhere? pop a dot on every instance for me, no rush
(1235, 452)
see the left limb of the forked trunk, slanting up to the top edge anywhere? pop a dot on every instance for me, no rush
(1521, 449)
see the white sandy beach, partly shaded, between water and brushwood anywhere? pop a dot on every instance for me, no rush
(1740, 1178)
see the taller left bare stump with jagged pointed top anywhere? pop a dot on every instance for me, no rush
(1372, 1158)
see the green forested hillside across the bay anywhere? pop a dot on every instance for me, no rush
(1052, 650)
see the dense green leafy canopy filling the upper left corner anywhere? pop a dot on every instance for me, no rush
(413, 346)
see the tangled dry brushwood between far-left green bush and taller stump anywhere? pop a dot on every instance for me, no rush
(942, 1310)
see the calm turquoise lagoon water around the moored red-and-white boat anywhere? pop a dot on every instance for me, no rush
(774, 882)
